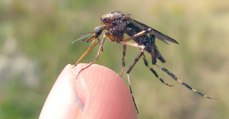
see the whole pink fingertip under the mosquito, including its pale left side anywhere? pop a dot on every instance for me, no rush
(97, 93)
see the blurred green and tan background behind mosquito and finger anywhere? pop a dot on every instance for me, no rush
(35, 45)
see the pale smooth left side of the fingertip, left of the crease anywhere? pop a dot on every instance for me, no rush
(62, 100)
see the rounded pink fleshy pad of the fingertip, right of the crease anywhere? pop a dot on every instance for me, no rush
(103, 93)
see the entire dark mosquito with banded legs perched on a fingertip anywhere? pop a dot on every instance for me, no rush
(114, 26)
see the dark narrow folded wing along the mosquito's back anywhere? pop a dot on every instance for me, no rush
(157, 33)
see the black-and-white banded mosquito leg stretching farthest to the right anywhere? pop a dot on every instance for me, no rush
(183, 83)
